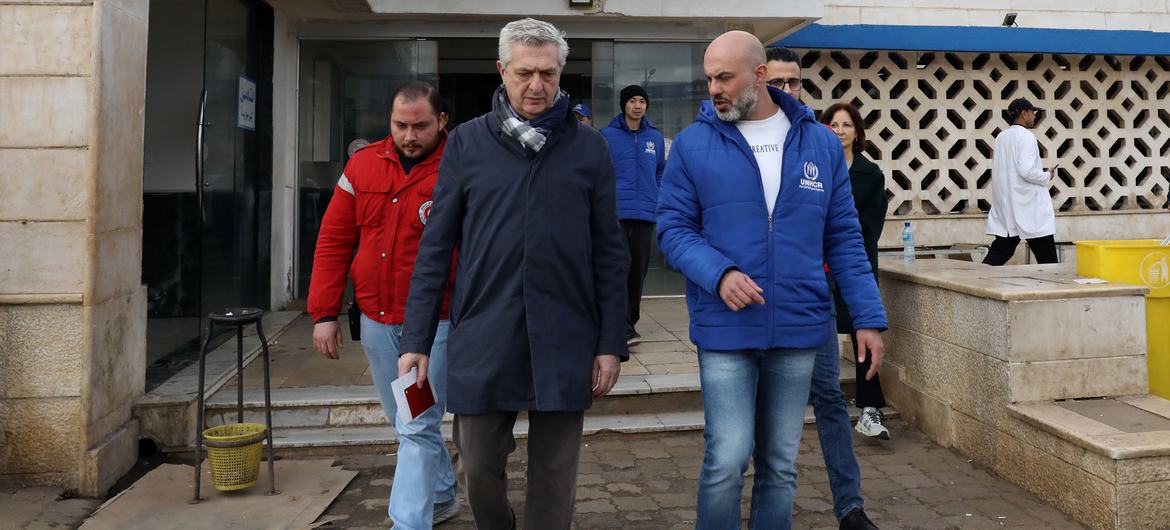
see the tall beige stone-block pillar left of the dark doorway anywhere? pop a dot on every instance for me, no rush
(72, 307)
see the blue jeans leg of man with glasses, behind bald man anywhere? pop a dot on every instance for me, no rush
(835, 429)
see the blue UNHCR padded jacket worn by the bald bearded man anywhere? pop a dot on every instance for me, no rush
(713, 218)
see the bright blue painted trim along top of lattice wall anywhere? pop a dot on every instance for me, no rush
(980, 39)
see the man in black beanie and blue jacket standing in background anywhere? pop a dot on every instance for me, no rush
(639, 159)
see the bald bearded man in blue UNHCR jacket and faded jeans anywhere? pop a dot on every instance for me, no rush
(755, 201)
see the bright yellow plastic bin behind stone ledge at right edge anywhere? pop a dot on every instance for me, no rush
(1141, 263)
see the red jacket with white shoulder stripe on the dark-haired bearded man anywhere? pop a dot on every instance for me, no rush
(382, 211)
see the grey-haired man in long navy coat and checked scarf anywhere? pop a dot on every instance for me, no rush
(539, 302)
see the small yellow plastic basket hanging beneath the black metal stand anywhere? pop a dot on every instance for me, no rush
(235, 453)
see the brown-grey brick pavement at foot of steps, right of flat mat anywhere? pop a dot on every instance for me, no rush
(649, 481)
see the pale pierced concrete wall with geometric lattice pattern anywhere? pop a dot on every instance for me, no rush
(933, 119)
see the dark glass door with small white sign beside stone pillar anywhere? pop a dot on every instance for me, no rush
(208, 174)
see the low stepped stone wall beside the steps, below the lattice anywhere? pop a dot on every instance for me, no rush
(978, 357)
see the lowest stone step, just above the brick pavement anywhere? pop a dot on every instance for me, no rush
(320, 442)
